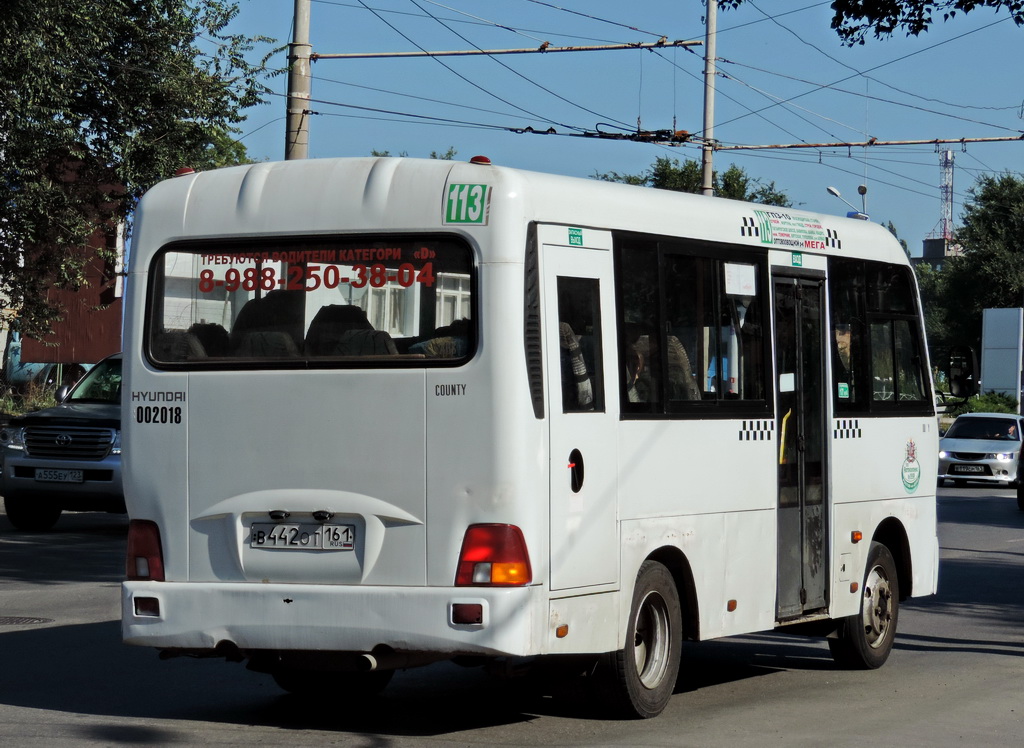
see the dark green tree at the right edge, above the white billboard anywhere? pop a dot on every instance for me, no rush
(990, 273)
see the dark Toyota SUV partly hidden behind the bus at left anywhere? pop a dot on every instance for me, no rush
(69, 456)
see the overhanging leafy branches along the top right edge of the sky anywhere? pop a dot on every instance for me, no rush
(854, 20)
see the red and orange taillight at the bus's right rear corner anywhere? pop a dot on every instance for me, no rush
(494, 555)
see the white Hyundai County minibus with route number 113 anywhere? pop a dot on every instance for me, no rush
(385, 412)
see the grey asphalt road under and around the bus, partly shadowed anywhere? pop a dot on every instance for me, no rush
(954, 680)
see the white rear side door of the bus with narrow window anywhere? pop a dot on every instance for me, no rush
(580, 356)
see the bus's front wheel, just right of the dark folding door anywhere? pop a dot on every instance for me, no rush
(866, 640)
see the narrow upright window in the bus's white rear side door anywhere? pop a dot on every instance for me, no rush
(580, 345)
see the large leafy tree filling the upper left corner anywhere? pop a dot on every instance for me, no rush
(100, 100)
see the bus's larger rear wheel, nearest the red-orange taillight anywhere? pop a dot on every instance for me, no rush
(639, 680)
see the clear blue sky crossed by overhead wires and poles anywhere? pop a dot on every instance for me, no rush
(787, 79)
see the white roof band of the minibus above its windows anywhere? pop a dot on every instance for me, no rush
(343, 195)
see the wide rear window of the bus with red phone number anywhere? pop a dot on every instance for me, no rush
(338, 302)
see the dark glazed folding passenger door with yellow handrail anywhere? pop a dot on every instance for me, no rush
(802, 517)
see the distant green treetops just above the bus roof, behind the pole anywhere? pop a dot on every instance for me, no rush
(668, 174)
